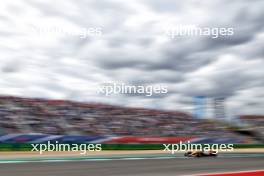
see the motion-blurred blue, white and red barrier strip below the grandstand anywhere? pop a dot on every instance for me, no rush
(41, 138)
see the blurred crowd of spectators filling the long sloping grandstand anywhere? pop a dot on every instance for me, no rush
(25, 115)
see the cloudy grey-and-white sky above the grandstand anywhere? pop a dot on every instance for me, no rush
(129, 44)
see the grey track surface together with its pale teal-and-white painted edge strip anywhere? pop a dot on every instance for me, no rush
(128, 165)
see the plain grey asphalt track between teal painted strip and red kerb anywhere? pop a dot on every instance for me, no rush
(144, 167)
